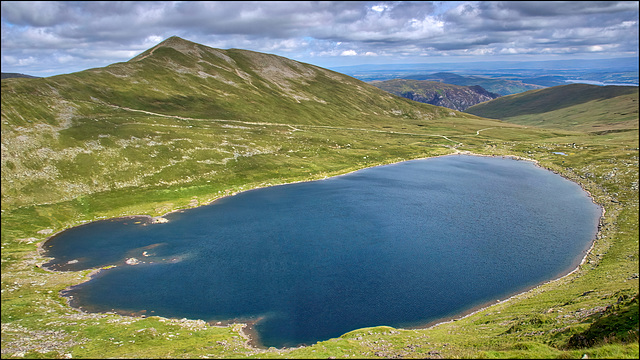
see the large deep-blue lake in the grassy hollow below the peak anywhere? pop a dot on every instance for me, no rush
(398, 245)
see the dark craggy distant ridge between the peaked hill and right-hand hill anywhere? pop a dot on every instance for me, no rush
(454, 97)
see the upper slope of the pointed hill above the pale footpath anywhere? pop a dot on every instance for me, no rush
(186, 79)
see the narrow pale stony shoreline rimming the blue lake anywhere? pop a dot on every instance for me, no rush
(251, 335)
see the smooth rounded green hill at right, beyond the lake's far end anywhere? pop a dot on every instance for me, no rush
(573, 107)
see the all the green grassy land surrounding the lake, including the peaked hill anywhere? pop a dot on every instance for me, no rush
(183, 124)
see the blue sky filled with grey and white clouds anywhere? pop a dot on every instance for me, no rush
(46, 38)
